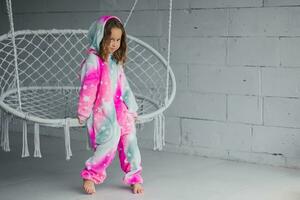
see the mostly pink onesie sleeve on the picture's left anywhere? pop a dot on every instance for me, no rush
(90, 78)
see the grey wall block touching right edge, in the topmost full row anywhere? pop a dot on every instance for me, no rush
(264, 22)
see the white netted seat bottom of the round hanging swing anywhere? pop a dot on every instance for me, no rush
(51, 106)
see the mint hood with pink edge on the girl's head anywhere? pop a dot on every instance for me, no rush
(96, 31)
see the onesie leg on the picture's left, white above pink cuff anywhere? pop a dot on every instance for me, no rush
(95, 166)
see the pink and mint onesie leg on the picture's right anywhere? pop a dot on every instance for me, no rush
(129, 153)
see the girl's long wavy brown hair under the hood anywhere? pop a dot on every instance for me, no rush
(119, 55)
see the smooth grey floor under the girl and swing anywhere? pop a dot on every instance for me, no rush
(167, 176)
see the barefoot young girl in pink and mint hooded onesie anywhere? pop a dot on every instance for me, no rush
(108, 106)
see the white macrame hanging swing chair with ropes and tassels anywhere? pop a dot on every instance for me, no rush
(39, 81)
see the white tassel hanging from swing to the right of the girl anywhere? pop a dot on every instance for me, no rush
(159, 132)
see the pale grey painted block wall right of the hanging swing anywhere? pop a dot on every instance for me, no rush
(255, 53)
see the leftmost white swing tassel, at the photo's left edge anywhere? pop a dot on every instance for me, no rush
(5, 132)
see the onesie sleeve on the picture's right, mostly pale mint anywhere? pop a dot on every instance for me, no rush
(128, 96)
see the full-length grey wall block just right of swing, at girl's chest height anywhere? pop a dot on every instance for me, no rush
(226, 80)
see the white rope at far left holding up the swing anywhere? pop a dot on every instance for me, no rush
(12, 30)
